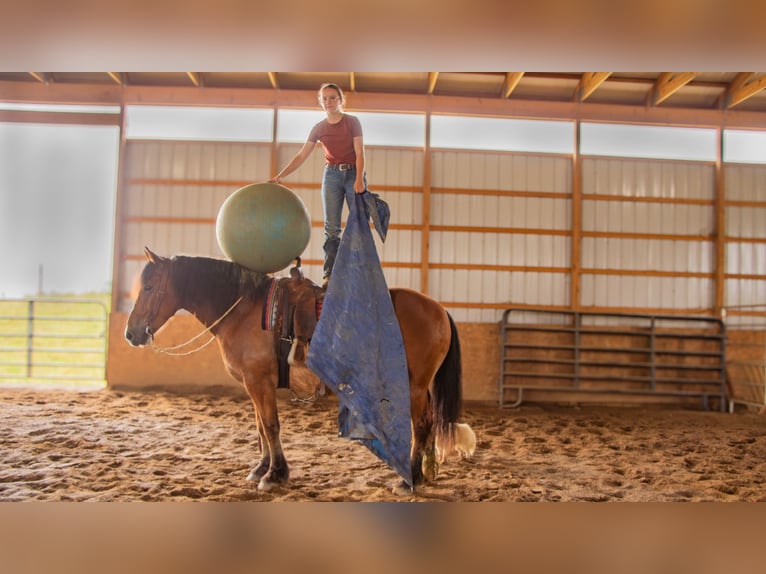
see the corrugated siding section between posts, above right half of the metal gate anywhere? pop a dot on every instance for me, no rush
(630, 182)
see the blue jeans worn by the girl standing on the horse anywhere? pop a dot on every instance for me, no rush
(337, 186)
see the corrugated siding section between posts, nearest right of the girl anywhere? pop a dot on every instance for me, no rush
(488, 175)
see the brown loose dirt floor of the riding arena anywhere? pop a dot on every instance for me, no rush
(158, 446)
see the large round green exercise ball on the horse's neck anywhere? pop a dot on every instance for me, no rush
(263, 226)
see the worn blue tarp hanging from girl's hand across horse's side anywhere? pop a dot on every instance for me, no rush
(357, 349)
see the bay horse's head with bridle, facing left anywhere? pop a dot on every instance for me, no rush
(156, 301)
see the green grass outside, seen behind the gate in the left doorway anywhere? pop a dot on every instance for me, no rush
(67, 346)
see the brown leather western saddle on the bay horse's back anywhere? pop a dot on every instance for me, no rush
(291, 310)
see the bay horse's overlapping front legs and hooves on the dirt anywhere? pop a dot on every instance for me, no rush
(272, 469)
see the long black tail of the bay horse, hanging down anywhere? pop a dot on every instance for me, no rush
(448, 390)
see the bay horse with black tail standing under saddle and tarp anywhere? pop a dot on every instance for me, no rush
(229, 299)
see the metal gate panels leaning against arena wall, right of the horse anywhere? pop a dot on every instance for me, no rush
(611, 354)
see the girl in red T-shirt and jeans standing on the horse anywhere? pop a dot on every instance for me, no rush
(341, 137)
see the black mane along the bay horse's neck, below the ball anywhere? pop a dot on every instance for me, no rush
(217, 281)
